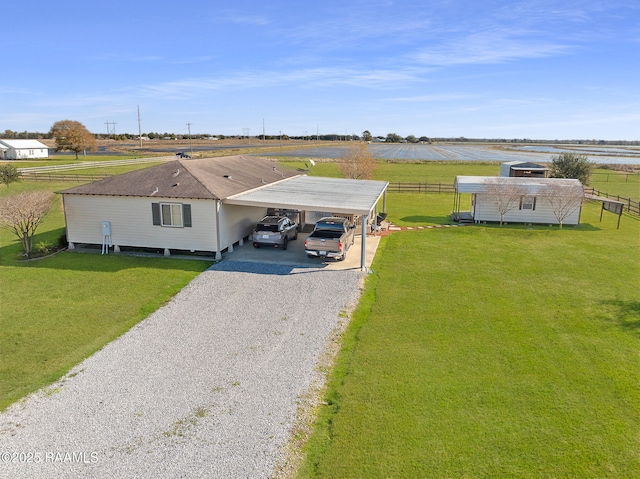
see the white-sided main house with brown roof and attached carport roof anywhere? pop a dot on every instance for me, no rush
(205, 205)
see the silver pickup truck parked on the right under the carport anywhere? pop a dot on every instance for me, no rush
(331, 238)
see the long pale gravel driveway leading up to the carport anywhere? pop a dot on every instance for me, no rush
(206, 386)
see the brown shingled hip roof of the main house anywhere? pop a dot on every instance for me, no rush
(208, 178)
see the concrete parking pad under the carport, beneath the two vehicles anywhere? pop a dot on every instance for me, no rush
(294, 255)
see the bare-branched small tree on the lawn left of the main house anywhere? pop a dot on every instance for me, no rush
(22, 214)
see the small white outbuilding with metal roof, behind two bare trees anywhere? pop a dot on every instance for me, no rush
(519, 200)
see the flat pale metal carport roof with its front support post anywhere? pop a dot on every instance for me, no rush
(310, 193)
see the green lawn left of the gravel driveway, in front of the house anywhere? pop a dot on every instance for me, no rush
(57, 311)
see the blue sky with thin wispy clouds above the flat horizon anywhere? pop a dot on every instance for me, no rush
(539, 69)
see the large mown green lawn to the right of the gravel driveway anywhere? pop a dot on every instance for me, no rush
(490, 352)
